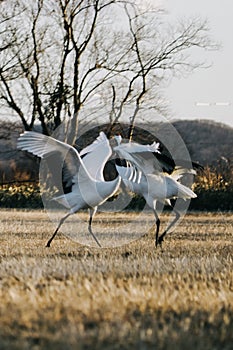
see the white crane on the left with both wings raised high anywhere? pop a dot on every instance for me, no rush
(88, 187)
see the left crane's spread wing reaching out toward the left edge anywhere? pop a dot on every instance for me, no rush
(45, 146)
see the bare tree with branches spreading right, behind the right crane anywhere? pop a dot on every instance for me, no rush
(155, 55)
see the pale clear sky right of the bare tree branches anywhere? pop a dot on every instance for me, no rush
(206, 93)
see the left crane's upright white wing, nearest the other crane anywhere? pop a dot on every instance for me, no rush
(95, 156)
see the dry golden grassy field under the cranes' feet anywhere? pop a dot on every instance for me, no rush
(134, 296)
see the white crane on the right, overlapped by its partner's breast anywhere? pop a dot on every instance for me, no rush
(142, 173)
